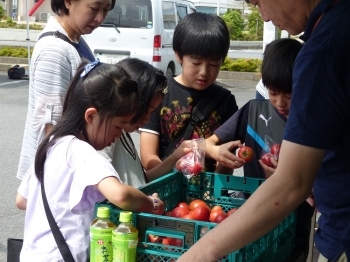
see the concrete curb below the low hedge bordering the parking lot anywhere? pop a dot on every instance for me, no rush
(7, 62)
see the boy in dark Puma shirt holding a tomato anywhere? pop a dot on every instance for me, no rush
(260, 118)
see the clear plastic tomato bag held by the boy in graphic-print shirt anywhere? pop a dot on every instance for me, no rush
(192, 163)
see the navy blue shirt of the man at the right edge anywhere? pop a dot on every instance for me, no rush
(320, 118)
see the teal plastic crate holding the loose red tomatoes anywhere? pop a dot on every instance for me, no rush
(173, 188)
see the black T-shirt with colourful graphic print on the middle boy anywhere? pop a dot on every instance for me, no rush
(174, 113)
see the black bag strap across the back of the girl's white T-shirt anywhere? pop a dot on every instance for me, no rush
(57, 234)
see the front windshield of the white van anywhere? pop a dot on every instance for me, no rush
(130, 14)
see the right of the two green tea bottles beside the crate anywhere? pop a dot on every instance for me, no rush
(124, 239)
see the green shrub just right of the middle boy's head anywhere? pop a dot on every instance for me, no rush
(235, 23)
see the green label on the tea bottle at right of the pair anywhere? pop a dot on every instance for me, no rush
(124, 247)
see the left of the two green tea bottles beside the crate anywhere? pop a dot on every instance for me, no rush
(101, 249)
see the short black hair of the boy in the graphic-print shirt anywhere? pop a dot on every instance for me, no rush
(203, 36)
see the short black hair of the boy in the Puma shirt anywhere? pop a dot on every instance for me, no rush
(278, 63)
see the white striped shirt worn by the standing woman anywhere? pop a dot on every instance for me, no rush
(54, 63)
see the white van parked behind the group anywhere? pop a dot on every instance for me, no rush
(143, 29)
